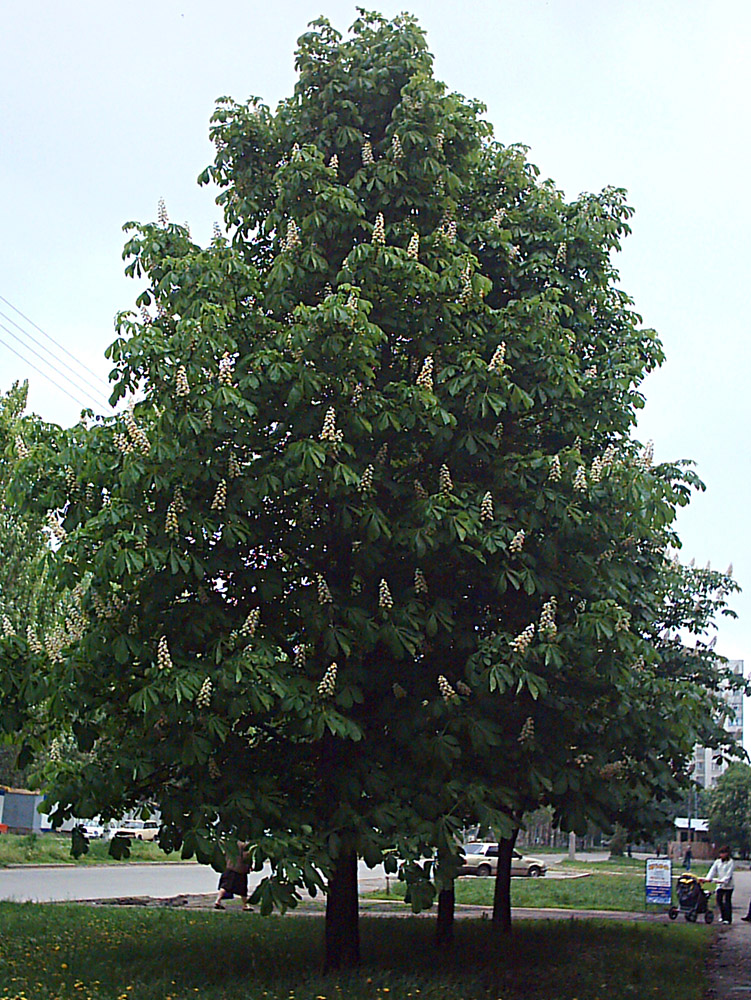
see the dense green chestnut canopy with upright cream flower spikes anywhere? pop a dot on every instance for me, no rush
(373, 552)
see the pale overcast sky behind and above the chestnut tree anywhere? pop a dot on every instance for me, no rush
(106, 106)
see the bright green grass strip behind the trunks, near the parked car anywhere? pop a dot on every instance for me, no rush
(600, 891)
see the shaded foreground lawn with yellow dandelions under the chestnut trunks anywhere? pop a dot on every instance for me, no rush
(73, 951)
